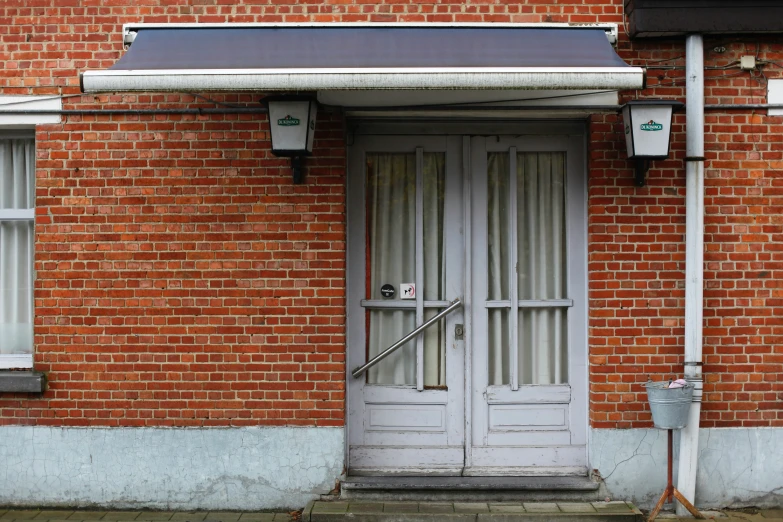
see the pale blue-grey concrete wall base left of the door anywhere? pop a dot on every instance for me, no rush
(237, 468)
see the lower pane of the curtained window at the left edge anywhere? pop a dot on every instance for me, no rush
(16, 293)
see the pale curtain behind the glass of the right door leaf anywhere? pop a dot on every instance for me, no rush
(540, 223)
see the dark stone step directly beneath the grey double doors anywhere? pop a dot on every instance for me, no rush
(394, 488)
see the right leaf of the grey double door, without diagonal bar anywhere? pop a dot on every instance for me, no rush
(528, 313)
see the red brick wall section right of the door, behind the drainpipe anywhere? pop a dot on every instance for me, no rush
(637, 248)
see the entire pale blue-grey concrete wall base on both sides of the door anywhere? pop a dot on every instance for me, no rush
(281, 467)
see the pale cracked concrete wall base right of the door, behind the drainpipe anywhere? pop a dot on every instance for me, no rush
(737, 467)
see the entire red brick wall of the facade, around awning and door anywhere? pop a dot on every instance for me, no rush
(182, 279)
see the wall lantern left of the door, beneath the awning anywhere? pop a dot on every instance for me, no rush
(292, 125)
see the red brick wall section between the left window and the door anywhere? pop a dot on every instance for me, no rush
(183, 280)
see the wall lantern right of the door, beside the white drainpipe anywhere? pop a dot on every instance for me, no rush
(648, 128)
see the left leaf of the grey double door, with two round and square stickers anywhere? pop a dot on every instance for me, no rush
(405, 255)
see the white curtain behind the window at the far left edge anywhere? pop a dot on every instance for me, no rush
(17, 191)
